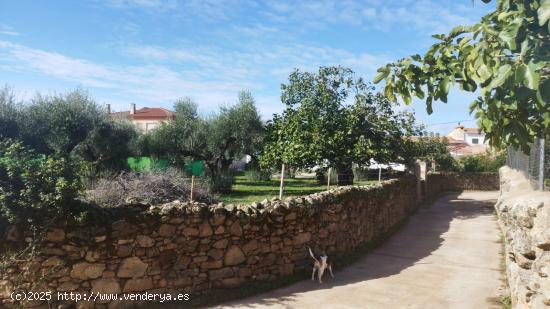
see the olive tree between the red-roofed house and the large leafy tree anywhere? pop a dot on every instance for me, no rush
(217, 139)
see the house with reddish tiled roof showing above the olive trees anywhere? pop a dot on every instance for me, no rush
(146, 119)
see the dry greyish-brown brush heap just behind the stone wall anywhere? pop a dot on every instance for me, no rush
(150, 187)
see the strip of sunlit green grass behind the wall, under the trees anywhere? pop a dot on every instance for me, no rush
(245, 192)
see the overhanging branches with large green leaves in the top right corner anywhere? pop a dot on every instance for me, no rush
(506, 56)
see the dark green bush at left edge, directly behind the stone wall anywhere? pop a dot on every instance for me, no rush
(35, 187)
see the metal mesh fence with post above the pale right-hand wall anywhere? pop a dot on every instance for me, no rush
(535, 164)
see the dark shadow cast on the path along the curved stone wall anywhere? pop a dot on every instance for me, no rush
(417, 239)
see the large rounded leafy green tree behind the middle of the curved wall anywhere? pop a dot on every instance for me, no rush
(333, 119)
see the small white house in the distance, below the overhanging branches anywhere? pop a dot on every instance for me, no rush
(466, 141)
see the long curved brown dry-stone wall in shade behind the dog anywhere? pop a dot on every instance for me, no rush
(198, 249)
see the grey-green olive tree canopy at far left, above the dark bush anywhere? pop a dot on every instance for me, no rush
(71, 125)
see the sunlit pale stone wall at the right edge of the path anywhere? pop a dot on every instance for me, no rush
(524, 217)
